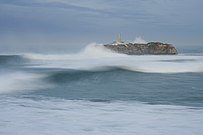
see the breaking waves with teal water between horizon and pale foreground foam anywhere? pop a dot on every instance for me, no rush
(97, 74)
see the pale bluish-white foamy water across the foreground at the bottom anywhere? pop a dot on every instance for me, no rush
(25, 116)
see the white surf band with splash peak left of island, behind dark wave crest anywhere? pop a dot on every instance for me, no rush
(98, 57)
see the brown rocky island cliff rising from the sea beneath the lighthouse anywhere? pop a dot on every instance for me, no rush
(151, 48)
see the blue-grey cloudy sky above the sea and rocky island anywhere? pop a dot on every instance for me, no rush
(60, 26)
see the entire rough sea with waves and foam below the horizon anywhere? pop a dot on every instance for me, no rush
(98, 92)
